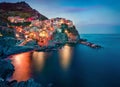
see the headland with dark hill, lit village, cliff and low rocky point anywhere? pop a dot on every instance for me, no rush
(27, 25)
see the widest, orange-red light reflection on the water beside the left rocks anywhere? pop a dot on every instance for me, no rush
(22, 64)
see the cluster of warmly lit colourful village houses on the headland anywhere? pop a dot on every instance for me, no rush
(42, 31)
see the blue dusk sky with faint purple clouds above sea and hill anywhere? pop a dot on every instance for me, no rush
(89, 16)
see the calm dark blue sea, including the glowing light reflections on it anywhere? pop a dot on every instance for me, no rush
(73, 66)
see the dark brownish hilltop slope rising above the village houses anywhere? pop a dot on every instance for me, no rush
(21, 9)
